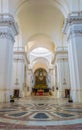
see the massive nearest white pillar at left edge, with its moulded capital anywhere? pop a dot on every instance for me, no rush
(8, 30)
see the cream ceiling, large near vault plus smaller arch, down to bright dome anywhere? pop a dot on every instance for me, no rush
(40, 23)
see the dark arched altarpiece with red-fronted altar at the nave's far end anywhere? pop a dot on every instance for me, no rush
(40, 87)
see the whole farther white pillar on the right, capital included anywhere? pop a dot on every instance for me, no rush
(62, 67)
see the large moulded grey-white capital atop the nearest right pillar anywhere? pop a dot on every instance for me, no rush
(73, 26)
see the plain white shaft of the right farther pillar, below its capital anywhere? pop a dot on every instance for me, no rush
(63, 73)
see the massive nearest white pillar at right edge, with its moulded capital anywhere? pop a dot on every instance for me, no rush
(73, 30)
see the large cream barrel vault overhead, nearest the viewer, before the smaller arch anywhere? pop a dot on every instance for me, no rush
(39, 17)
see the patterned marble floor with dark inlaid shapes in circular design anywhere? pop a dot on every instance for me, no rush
(41, 113)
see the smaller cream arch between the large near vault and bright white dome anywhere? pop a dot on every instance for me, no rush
(40, 40)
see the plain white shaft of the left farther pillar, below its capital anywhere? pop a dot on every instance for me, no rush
(18, 75)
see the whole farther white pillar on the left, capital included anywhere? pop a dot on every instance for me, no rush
(18, 81)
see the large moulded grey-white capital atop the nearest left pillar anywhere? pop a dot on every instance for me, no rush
(8, 26)
